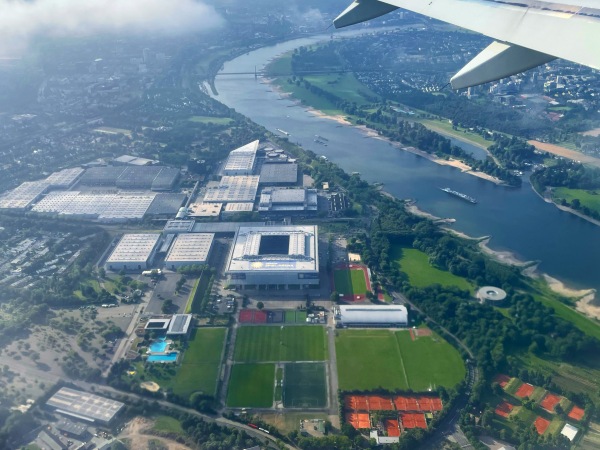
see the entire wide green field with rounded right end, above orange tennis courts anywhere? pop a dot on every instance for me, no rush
(368, 359)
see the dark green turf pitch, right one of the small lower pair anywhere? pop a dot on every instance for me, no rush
(304, 386)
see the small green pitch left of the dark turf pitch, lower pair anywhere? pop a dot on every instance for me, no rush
(251, 385)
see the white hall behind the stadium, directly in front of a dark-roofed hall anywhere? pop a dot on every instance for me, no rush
(288, 201)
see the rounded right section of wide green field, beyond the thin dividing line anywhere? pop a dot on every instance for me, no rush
(430, 361)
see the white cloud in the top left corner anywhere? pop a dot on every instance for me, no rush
(23, 20)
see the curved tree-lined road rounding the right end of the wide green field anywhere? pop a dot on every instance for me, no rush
(448, 428)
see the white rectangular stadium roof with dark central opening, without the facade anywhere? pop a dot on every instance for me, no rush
(275, 248)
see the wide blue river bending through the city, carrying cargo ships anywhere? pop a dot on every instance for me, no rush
(517, 219)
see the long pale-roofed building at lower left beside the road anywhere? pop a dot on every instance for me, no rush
(81, 405)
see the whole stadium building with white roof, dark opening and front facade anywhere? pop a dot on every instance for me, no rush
(274, 257)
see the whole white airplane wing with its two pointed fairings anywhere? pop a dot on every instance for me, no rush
(527, 33)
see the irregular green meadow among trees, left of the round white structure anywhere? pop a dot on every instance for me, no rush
(415, 264)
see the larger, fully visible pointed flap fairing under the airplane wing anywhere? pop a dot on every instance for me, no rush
(498, 60)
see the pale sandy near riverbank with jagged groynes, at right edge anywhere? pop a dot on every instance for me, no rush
(584, 299)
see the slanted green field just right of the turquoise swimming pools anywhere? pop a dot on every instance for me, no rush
(201, 362)
